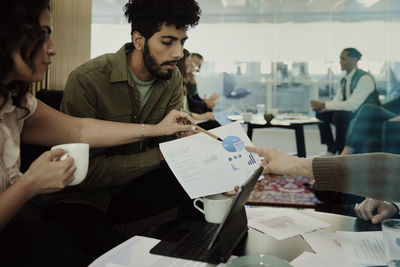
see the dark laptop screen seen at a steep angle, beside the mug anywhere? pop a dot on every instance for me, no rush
(238, 203)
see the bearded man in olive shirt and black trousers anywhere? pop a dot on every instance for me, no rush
(138, 84)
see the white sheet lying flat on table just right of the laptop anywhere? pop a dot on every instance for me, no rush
(282, 224)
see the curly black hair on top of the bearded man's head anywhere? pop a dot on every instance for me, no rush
(147, 16)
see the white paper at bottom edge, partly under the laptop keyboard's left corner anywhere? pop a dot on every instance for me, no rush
(135, 252)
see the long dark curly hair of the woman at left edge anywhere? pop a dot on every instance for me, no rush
(21, 32)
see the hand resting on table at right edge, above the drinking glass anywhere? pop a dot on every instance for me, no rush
(366, 210)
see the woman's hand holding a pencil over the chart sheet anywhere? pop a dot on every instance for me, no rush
(174, 122)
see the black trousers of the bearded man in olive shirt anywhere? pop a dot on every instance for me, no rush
(143, 197)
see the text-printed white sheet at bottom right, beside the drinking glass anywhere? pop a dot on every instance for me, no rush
(366, 248)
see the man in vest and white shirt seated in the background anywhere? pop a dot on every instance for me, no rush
(356, 88)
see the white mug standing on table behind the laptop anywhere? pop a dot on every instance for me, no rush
(215, 207)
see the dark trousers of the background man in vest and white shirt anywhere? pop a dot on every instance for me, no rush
(341, 120)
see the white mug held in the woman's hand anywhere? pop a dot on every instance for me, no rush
(80, 153)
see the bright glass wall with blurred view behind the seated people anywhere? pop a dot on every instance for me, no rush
(278, 53)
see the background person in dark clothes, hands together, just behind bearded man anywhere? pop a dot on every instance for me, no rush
(196, 103)
